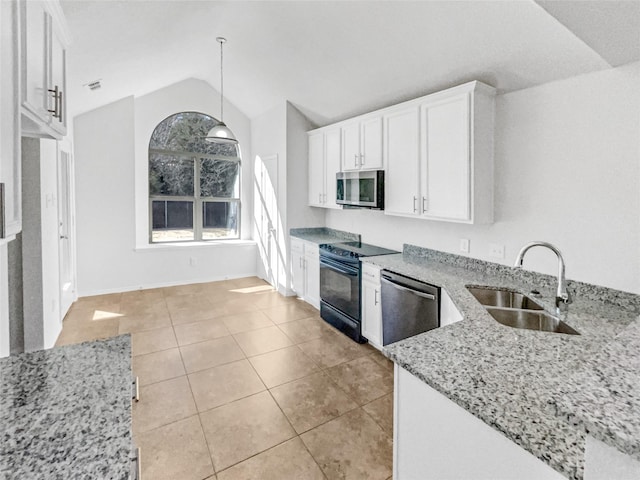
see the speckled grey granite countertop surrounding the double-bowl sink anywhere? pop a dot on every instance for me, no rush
(524, 383)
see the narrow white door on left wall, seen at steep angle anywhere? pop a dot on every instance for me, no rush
(65, 228)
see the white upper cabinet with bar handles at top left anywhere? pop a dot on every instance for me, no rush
(43, 40)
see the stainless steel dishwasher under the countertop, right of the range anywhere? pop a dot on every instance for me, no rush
(409, 307)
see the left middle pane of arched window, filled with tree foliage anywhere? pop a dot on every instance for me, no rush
(170, 175)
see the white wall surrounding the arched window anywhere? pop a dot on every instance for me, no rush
(106, 162)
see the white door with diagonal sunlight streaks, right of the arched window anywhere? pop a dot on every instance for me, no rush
(267, 215)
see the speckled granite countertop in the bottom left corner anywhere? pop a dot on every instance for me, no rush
(66, 412)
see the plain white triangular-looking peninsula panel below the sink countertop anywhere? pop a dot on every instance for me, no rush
(436, 439)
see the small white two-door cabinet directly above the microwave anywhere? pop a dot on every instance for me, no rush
(362, 143)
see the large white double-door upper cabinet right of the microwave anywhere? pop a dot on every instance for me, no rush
(453, 168)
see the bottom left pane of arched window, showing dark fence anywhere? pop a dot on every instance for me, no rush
(172, 221)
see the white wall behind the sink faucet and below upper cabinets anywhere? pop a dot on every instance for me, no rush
(567, 163)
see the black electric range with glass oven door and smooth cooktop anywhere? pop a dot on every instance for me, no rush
(340, 284)
